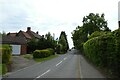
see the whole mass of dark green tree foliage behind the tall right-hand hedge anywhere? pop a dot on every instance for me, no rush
(91, 23)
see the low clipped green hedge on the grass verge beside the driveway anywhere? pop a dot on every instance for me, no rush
(42, 53)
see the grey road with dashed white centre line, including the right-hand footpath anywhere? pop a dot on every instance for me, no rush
(70, 65)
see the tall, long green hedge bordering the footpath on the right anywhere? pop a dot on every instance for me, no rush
(104, 52)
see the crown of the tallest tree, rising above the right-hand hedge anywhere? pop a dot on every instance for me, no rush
(95, 22)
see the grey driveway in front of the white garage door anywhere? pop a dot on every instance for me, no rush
(19, 62)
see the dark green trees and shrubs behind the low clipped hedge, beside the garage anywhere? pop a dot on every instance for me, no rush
(42, 43)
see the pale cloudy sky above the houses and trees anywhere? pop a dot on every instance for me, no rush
(54, 16)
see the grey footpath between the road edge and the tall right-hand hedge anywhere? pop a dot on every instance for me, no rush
(87, 70)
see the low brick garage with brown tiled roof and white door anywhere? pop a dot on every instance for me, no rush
(18, 44)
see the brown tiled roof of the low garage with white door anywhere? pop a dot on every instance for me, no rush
(13, 40)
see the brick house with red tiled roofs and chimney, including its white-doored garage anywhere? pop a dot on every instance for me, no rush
(19, 40)
